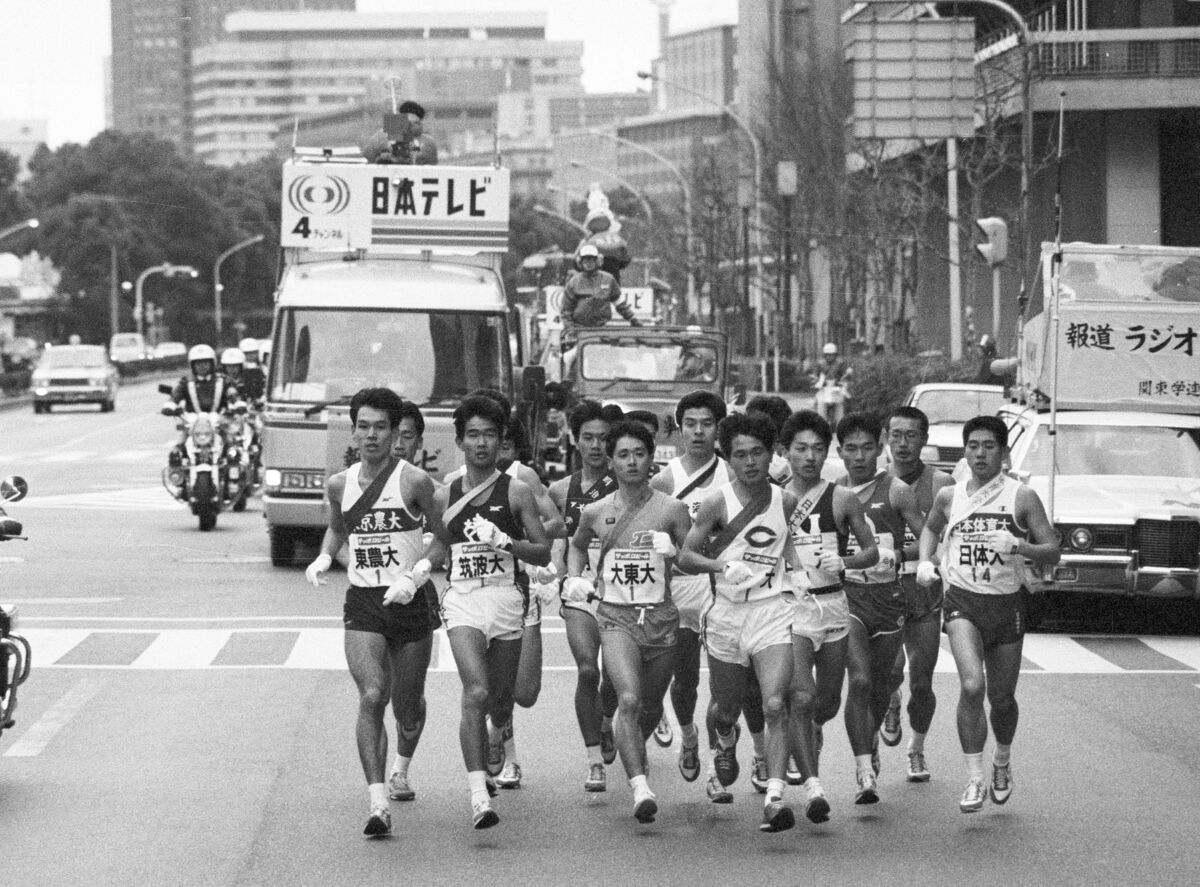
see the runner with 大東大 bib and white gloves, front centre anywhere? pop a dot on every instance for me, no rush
(640, 532)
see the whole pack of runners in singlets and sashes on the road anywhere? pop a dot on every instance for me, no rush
(741, 546)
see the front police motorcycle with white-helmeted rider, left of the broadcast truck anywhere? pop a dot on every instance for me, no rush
(206, 470)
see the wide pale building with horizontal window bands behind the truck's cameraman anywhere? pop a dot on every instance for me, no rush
(277, 70)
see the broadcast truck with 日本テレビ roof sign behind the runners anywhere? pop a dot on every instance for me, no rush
(392, 279)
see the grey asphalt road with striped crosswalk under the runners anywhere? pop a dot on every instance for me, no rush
(190, 721)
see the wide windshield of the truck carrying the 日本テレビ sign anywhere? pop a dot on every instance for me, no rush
(325, 355)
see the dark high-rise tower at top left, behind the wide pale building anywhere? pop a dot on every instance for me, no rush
(153, 46)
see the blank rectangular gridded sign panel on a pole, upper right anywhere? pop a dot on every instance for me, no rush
(914, 80)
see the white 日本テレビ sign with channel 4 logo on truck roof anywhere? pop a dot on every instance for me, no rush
(340, 207)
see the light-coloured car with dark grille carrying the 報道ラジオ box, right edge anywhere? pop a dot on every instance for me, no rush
(1127, 498)
